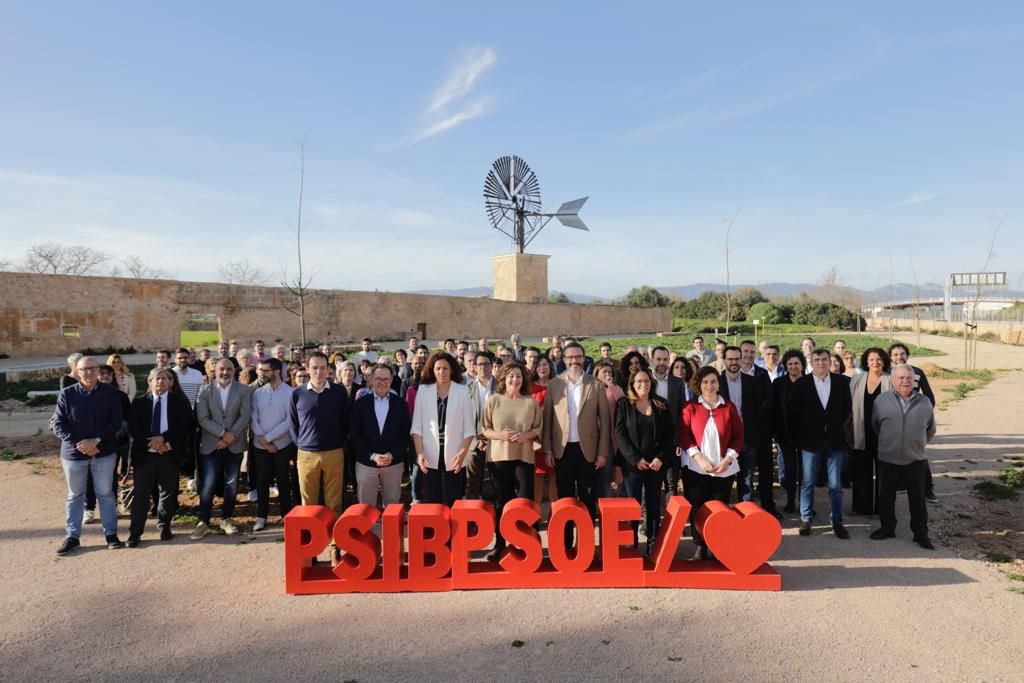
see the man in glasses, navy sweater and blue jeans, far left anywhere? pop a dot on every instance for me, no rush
(88, 419)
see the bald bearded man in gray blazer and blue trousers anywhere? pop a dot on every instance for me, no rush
(223, 409)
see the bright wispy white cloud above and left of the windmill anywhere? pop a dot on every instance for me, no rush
(454, 94)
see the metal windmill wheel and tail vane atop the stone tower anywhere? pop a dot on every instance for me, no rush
(513, 199)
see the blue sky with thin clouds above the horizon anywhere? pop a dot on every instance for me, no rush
(846, 136)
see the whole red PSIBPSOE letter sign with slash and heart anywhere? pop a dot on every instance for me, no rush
(442, 542)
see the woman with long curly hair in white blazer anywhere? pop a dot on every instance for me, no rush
(443, 431)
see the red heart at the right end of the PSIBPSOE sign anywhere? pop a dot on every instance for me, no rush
(743, 538)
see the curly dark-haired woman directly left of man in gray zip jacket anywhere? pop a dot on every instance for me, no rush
(865, 389)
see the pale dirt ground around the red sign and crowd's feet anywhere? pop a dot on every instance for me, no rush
(850, 611)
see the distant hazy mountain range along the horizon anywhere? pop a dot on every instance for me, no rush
(899, 291)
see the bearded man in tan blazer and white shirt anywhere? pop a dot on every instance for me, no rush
(577, 431)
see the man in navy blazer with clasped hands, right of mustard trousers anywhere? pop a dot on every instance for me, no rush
(379, 433)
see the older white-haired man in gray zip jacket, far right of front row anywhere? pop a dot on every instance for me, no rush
(905, 422)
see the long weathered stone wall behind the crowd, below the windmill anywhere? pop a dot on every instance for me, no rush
(39, 312)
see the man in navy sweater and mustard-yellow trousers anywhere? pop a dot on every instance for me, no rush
(320, 420)
